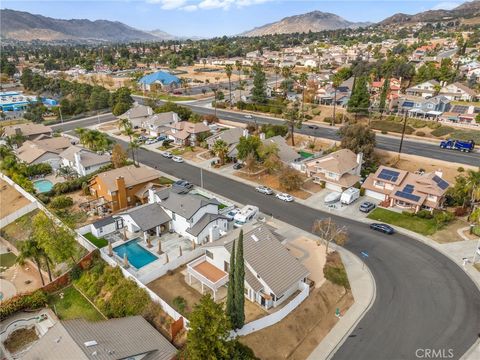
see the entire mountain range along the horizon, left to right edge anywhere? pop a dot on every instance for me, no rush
(23, 26)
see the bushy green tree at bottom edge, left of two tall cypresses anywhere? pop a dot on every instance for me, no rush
(209, 331)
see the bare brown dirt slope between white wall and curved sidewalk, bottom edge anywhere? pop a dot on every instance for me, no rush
(301, 331)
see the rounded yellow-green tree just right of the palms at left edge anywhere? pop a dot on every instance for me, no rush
(57, 241)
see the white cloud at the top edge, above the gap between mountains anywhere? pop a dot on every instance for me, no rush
(192, 5)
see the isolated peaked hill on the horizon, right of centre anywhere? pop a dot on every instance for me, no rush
(314, 21)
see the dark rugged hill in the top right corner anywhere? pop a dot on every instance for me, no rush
(466, 10)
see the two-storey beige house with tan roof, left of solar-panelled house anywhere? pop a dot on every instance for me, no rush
(338, 170)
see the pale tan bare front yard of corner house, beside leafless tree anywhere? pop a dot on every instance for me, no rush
(311, 255)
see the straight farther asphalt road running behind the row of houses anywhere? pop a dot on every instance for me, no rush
(383, 142)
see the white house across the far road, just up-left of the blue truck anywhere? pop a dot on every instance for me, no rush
(421, 107)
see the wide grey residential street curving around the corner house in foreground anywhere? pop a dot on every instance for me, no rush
(423, 300)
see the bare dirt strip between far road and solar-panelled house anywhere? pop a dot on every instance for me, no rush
(413, 163)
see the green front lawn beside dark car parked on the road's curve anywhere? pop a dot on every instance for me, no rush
(413, 223)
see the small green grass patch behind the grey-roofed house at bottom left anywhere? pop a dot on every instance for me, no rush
(73, 306)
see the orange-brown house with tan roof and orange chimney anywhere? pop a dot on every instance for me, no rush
(124, 187)
